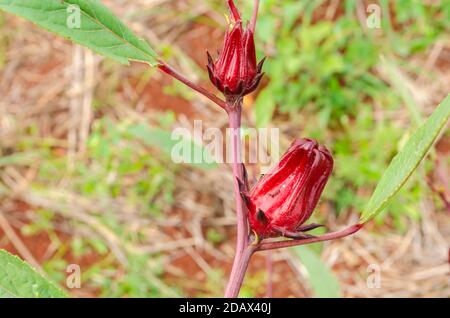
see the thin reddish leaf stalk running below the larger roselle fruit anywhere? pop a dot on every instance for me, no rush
(326, 237)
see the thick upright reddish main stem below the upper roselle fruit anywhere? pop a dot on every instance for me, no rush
(235, 281)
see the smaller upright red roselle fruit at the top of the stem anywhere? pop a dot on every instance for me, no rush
(235, 72)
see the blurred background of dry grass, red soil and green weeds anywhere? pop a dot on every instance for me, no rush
(86, 176)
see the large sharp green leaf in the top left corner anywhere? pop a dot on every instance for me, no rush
(86, 22)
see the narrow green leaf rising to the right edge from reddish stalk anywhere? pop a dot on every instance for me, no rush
(407, 160)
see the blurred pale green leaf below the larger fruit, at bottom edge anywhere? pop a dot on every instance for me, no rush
(323, 282)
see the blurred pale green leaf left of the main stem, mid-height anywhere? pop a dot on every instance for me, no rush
(166, 142)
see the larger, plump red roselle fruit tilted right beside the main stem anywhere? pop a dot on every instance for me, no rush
(284, 199)
